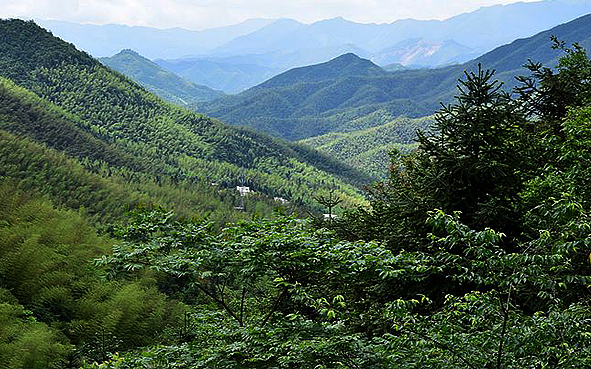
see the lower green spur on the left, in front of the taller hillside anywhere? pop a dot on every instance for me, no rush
(44, 150)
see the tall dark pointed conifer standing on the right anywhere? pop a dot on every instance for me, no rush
(473, 158)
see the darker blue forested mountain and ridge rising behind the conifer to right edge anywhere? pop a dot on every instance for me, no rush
(323, 98)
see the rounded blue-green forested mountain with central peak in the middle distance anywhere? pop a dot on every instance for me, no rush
(301, 102)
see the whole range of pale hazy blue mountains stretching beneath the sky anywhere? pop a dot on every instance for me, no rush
(479, 31)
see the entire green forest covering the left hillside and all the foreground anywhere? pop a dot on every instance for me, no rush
(473, 253)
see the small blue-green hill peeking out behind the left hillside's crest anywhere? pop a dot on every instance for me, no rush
(159, 81)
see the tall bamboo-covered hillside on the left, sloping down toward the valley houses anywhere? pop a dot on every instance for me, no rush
(109, 126)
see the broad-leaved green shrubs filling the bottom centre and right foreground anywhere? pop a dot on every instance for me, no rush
(321, 302)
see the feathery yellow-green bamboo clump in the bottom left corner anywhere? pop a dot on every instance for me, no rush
(55, 307)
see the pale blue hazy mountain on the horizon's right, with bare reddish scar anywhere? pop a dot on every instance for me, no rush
(477, 32)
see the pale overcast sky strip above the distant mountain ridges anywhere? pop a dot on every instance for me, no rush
(199, 14)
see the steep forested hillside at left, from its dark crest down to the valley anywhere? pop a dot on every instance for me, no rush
(153, 142)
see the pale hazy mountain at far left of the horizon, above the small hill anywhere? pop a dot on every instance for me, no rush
(107, 40)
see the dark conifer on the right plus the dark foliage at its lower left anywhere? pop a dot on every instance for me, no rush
(474, 160)
